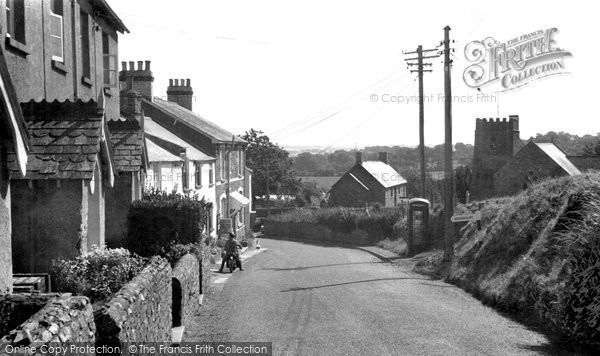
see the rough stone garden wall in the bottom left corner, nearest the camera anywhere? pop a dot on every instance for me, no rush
(63, 320)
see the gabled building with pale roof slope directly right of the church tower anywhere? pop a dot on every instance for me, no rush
(533, 162)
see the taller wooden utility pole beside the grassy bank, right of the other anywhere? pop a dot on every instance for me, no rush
(449, 191)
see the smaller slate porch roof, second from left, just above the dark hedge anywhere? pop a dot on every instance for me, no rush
(127, 140)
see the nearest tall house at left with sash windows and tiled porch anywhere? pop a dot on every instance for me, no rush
(62, 57)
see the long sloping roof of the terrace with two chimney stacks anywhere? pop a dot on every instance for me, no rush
(216, 133)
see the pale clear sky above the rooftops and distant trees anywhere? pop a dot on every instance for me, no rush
(323, 73)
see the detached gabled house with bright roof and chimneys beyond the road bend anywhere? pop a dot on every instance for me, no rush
(369, 182)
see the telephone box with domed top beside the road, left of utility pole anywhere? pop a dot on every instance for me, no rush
(418, 223)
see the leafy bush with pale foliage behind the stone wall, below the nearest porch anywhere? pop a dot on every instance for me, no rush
(97, 274)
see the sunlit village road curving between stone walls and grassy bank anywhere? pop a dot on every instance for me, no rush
(324, 300)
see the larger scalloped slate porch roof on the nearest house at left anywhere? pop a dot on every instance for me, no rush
(65, 140)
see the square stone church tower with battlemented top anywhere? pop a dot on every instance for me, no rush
(496, 142)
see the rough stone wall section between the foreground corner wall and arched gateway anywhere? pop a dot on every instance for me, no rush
(140, 311)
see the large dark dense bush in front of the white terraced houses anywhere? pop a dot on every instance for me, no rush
(161, 219)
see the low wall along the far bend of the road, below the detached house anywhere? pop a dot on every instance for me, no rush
(312, 232)
